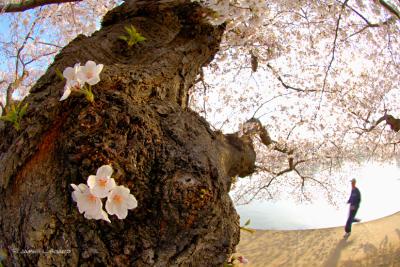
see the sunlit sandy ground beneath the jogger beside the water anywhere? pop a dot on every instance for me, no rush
(375, 243)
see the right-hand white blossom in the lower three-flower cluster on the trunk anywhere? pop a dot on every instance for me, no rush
(119, 201)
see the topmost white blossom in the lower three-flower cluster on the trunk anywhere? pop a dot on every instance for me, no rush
(101, 183)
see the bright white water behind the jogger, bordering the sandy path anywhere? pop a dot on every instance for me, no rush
(379, 186)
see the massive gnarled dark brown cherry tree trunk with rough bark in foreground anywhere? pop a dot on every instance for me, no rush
(178, 169)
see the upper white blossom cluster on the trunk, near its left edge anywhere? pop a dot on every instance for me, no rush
(78, 76)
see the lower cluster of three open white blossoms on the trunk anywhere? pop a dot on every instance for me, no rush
(101, 185)
